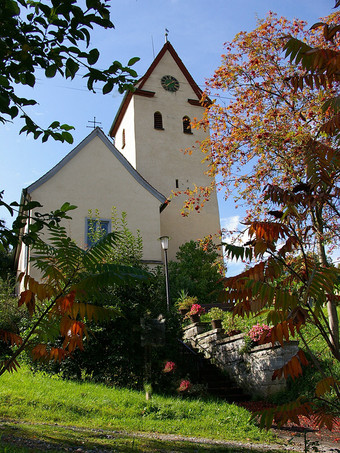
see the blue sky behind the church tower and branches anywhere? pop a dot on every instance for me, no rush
(197, 30)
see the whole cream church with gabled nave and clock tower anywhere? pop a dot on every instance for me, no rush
(138, 167)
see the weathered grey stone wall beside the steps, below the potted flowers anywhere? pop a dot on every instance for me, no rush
(251, 371)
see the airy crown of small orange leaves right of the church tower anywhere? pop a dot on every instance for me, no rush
(259, 135)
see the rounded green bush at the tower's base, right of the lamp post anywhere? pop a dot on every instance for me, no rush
(196, 271)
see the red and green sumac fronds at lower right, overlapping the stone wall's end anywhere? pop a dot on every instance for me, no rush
(292, 289)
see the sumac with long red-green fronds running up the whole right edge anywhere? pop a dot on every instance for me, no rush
(290, 282)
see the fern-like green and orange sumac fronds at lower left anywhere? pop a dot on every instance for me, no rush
(62, 302)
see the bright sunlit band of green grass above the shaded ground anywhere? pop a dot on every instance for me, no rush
(40, 399)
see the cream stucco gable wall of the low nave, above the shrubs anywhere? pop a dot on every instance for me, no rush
(95, 179)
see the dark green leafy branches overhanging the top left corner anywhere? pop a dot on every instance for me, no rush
(53, 37)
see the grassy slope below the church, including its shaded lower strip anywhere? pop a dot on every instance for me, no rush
(38, 406)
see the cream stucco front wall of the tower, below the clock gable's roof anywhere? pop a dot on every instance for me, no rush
(161, 161)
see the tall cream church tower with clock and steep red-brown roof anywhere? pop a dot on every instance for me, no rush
(152, 128)
